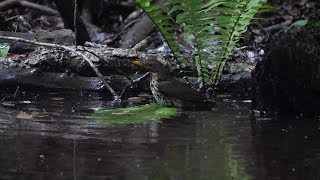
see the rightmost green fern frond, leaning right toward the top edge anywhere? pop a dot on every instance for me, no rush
(237, 17)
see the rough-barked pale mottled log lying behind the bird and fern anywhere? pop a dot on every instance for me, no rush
(109, 61)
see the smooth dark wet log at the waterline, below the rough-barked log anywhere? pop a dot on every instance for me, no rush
(13, 77)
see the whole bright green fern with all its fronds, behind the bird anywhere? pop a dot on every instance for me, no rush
(212, 27)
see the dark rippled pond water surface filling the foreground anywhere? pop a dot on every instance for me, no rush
(51, 136)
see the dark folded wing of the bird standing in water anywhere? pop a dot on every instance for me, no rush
(179, 90)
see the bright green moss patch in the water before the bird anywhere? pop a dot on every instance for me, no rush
(136, 114)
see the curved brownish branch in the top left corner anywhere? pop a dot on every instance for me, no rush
(10, 3)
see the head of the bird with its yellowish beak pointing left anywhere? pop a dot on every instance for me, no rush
(153, 66)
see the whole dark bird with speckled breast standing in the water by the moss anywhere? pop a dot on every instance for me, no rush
(170, 92)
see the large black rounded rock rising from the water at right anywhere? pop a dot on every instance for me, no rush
(287, 80)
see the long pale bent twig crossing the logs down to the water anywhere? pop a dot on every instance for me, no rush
(115, 95)
